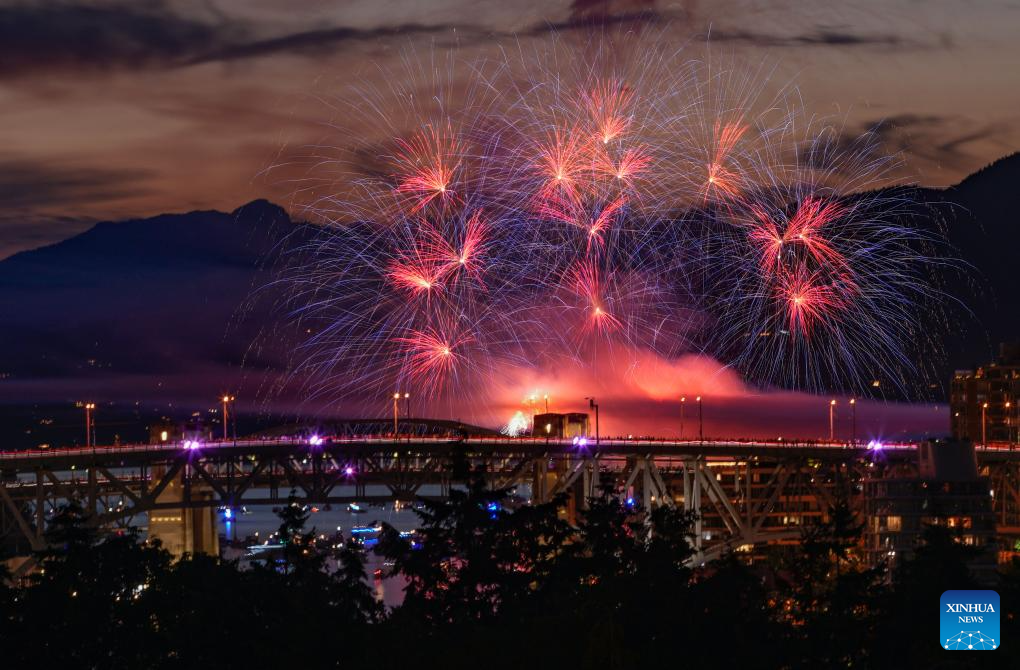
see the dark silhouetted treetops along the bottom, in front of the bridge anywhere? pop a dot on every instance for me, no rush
(493, 588)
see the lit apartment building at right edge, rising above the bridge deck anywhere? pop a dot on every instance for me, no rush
(985, 404)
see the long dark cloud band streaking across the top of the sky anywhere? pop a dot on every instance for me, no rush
(74, 37)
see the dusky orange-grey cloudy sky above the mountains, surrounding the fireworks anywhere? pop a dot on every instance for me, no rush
(119, 110)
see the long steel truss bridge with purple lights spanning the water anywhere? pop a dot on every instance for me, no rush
(743, 493)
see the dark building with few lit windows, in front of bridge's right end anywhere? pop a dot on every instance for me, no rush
(947, 491)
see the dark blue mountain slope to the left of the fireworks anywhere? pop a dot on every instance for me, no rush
(145, 297)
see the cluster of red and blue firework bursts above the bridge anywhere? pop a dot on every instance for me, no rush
(523, 215)
